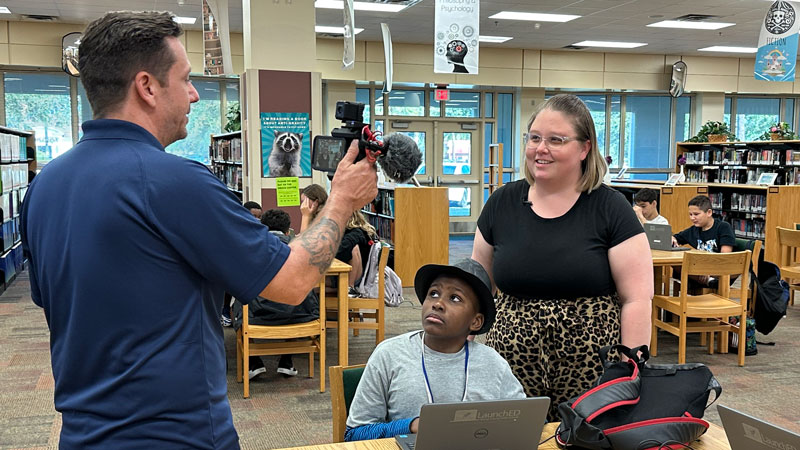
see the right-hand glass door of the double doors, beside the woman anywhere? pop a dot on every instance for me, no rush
(458, 168)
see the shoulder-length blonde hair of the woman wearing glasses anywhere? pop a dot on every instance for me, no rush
(593, 167)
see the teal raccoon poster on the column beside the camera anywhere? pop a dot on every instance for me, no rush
(285, 145)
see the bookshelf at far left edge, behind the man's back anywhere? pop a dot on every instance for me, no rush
(17, 159)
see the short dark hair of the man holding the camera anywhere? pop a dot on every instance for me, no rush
(117, 46)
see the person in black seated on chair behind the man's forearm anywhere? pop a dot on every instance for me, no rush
(265, 312)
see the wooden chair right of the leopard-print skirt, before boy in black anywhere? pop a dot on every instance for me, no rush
(717, 306)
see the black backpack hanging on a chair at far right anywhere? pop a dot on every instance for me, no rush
(772, 297)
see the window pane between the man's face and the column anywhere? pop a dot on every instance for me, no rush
(204, 120)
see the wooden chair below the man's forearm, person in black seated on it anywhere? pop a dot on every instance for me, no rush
(308, 337)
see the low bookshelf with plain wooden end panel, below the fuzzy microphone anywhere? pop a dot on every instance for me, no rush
(415, 220)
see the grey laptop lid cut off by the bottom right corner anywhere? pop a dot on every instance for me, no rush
(748, 433)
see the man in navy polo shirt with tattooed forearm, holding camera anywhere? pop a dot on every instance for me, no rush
(131, 278)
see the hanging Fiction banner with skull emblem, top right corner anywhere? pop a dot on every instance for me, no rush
(777, 43)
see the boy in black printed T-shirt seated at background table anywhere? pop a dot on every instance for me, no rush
(706, 233)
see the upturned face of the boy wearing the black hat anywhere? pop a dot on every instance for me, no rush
(451, 309)
